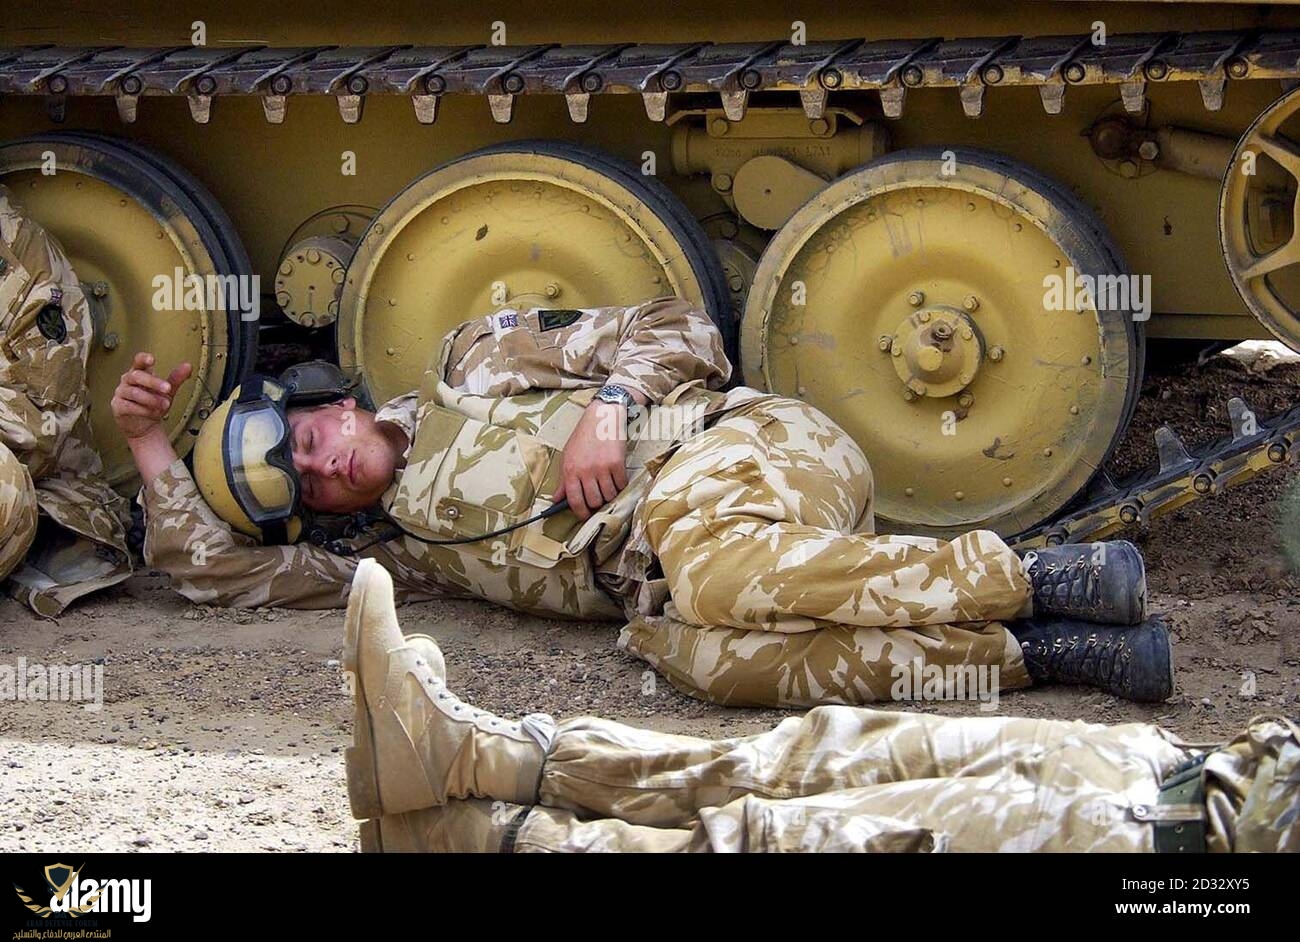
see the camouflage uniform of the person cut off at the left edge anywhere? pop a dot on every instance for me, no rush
(62, 529)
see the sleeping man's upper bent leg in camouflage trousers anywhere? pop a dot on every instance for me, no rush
(764, 523)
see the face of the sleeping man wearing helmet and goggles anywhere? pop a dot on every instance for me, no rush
(345, 461)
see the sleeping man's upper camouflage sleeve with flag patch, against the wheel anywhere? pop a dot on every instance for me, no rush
(651, 348)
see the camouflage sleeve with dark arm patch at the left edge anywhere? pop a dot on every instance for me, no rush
(45, 340)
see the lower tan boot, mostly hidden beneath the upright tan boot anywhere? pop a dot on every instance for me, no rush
(471, 827)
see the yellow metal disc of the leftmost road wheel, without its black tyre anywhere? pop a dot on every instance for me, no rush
(119, 249)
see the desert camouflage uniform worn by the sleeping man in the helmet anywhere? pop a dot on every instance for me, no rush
(742, 550)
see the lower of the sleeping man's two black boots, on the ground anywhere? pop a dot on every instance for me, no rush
(1136, 663)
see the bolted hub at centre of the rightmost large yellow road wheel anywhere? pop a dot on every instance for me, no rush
(937, 353)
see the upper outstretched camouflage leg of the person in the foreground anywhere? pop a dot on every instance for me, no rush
(608, 770)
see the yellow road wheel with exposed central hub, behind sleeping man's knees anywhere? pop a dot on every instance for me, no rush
(913, 302)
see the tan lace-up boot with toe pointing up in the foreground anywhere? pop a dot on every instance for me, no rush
(418, 745)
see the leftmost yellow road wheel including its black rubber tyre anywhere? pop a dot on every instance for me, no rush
(127, 218)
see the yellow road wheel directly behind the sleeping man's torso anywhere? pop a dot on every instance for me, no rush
(544, 224)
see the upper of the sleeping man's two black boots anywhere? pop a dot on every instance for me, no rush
(1099, 583)
